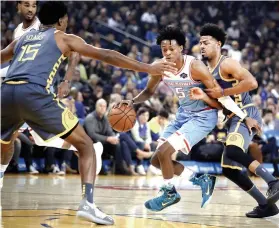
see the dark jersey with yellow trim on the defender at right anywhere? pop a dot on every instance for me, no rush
(242, 99)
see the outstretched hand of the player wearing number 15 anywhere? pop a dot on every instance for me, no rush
(159, 67)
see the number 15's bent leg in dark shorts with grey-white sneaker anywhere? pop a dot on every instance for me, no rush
(52, 120)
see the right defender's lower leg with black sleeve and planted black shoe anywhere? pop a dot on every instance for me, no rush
(243, 181)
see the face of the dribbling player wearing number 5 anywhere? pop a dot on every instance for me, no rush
(171, 50)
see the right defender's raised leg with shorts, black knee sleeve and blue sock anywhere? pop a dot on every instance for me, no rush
(237, 144)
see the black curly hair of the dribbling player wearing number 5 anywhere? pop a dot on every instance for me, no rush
(171, 32)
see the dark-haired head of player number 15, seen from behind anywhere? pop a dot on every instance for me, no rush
(54, 13)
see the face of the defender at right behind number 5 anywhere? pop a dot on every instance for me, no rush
(209, 47)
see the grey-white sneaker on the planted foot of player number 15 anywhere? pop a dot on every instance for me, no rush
(89, 212)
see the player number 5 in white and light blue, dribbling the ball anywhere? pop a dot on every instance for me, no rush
(195, 119)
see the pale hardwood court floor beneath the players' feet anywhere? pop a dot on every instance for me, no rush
(51, 201)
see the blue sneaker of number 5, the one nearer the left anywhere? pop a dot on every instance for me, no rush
(167, 197)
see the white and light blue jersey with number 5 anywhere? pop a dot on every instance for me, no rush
(181, 83)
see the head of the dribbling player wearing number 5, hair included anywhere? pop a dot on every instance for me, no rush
(172, 42)
